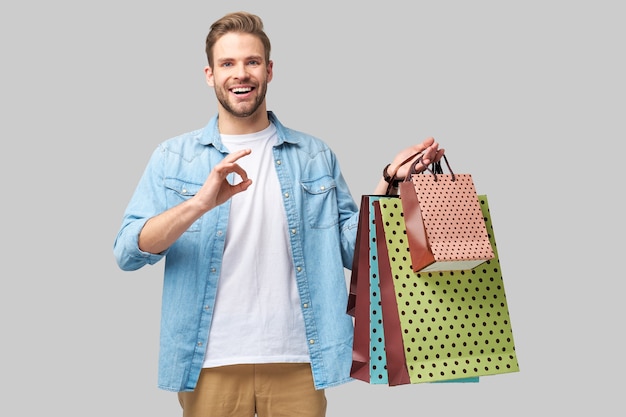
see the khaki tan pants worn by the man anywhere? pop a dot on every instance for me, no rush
(269, 390)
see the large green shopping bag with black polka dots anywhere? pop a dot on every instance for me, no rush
(455, 324)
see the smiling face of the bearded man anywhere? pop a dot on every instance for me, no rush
(240, 74)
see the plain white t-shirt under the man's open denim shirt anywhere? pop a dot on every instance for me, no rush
(257, 316)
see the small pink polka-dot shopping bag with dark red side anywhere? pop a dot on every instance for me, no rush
(444, 224)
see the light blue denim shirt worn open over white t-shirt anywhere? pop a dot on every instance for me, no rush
(322, 217)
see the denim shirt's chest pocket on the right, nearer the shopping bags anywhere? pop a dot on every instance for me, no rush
(321, 202)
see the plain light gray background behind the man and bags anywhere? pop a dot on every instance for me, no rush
(528, 97)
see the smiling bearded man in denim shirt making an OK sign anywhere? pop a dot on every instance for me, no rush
(256, 225)
